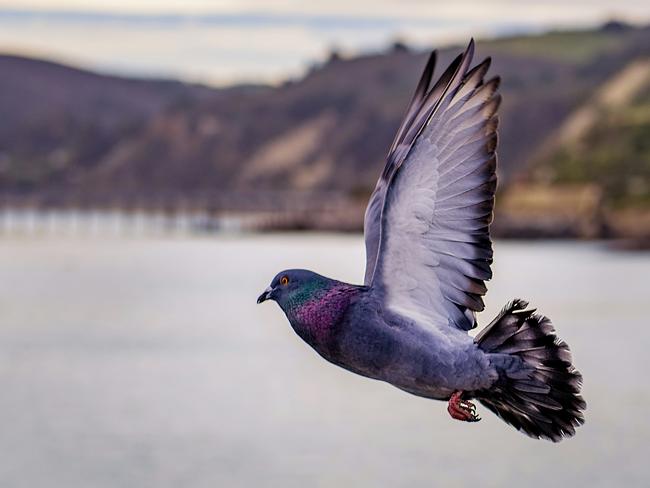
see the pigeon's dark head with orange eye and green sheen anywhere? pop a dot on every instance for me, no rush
(293, 287)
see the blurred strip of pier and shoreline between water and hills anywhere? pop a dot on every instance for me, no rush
(134, 222)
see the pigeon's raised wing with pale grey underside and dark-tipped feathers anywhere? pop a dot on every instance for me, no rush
(427, 223)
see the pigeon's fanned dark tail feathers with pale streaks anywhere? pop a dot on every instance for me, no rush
(538, 390)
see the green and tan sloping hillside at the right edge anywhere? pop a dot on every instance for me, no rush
(608, 141)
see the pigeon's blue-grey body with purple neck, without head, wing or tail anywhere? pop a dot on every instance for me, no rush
(348, 326)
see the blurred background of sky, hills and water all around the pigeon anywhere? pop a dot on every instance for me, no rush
(161, 160)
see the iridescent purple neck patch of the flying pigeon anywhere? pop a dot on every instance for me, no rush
(316, 318)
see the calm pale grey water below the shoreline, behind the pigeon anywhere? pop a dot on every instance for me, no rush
(145, 362)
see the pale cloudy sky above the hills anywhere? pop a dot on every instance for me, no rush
(228, 41)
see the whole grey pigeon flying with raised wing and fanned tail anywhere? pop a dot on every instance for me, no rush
(428, 255)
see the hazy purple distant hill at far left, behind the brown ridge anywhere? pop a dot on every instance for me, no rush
(57, 120)
